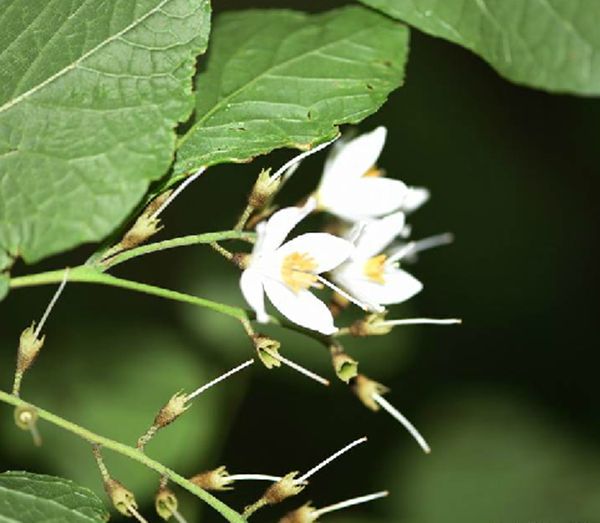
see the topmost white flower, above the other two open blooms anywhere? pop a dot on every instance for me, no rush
(354, 189)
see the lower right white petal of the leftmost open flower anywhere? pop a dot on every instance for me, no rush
(302, 308)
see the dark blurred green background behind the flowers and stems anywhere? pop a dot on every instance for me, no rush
(508, 400)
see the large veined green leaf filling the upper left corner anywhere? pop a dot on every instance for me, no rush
(90, 93)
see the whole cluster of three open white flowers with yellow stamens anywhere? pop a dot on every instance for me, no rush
(363, 262)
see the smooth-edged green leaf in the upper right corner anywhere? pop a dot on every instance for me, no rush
(548, 44)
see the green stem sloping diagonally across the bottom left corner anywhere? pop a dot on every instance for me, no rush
(228, 513)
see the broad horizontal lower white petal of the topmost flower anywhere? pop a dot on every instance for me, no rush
(366, 198)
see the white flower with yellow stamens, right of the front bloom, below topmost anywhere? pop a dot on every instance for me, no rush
(373, 277)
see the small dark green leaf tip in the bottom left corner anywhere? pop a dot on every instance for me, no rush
(31, 498)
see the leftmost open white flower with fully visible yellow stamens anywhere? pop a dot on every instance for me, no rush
(287, 272)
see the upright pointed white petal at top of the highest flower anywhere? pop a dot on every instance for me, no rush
(350, 160)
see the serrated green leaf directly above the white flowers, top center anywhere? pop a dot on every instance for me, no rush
(278, 78)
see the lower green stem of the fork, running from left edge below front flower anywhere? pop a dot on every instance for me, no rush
(84, 274)
